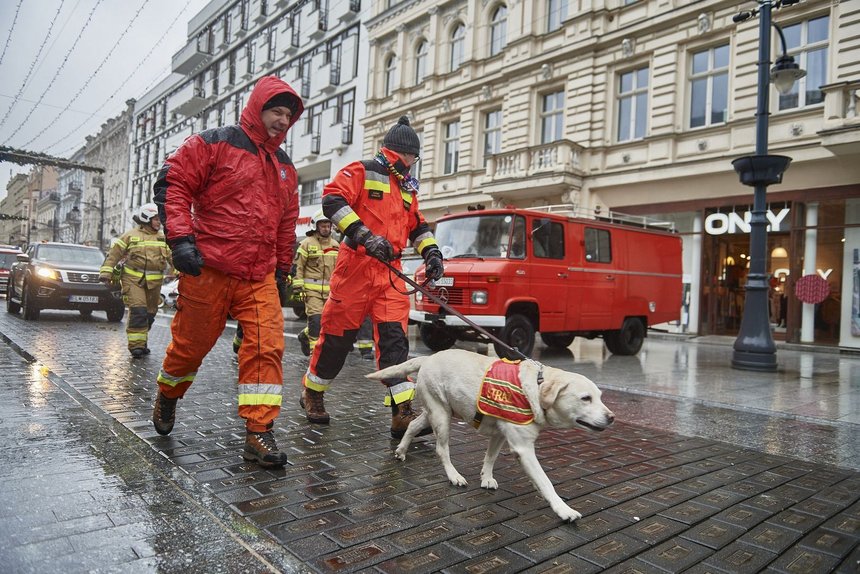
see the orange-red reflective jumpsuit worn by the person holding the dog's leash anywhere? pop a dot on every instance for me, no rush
(366, 193)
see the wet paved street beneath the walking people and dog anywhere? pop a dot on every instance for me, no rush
(706, 469)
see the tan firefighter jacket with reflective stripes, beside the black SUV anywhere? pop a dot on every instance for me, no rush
(145, 254)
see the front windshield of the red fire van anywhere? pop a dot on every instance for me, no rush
(483, 236)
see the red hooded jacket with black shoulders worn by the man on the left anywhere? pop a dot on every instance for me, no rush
(235, 191)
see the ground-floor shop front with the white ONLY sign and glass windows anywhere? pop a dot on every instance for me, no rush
(815, 233)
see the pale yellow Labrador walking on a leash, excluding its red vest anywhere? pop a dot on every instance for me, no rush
(448, 383)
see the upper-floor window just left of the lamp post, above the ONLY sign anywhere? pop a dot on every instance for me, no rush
(709, 87)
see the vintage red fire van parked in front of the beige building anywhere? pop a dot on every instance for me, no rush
(517, 272)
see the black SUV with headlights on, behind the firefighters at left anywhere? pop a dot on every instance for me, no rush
(61, 276)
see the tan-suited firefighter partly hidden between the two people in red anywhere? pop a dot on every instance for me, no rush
(315, 261)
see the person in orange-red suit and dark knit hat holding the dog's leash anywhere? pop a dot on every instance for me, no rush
(374, 204)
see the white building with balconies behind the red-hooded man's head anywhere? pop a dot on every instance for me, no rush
(317, 46)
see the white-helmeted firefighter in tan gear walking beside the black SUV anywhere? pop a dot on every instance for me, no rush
(145, 257)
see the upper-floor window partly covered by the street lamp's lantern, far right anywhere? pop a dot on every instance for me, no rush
(807, 43)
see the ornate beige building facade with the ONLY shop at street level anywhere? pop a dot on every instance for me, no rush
(639, 107)
